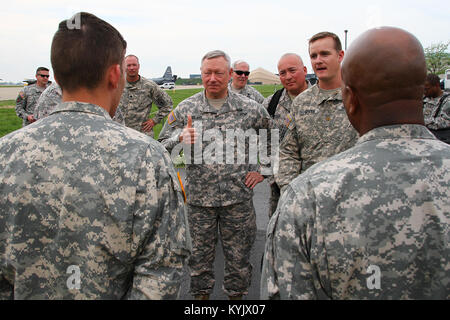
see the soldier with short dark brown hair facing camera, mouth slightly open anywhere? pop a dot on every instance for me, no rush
(319, 127)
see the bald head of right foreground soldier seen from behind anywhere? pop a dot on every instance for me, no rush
(383, 76)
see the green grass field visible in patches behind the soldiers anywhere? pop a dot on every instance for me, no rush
(10, 122)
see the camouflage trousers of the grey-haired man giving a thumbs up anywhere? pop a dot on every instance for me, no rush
(236, 227)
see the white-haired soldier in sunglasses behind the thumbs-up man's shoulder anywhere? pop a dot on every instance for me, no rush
(239, 81)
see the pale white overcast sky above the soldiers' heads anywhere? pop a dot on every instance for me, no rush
(178, 33)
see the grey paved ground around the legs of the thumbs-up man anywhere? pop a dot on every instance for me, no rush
(261, 197)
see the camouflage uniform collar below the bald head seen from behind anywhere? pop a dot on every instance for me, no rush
(406, 131)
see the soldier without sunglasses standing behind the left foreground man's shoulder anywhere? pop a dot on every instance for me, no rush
(137, 98)
